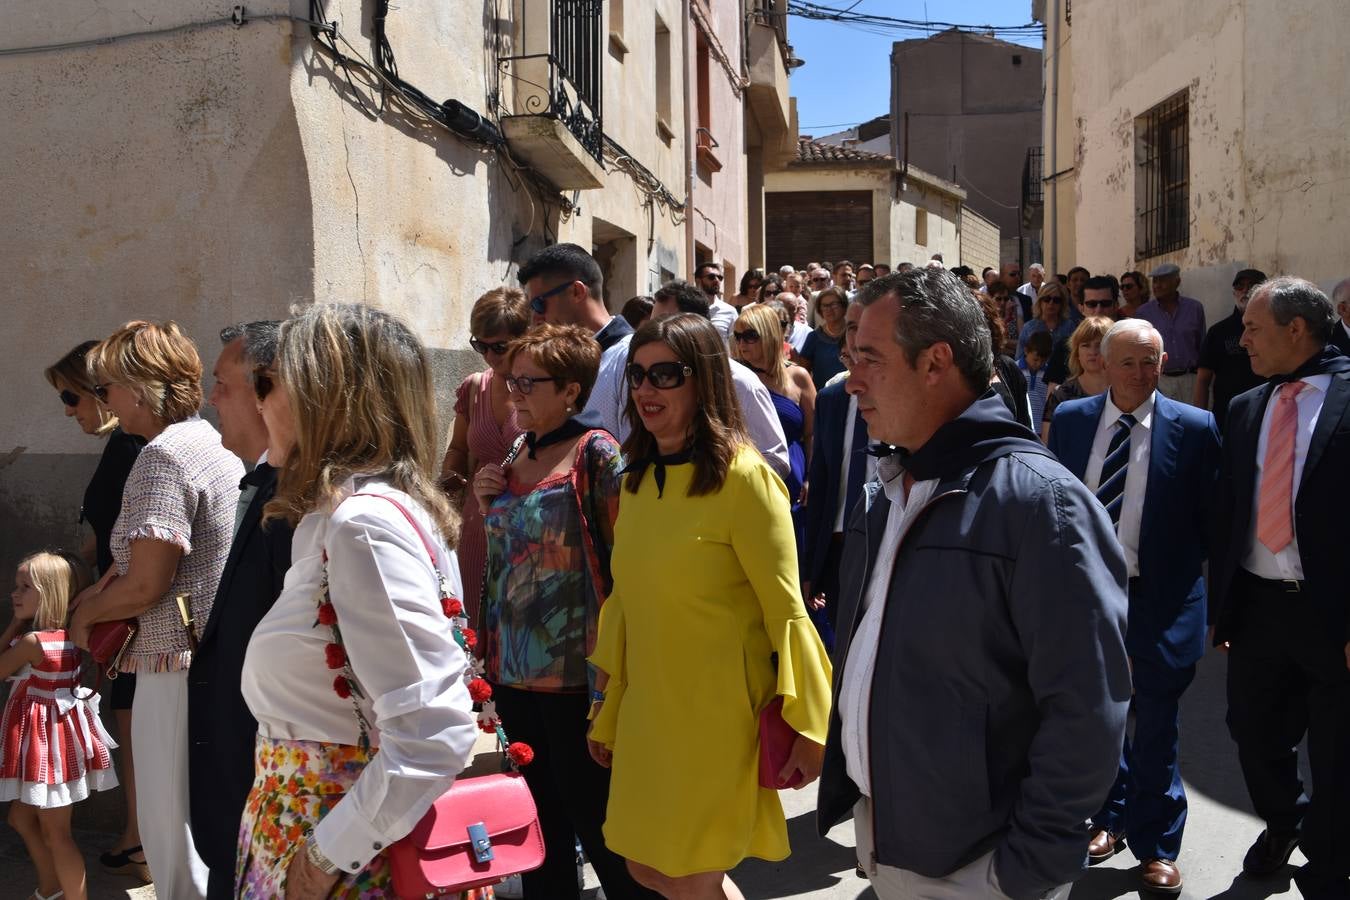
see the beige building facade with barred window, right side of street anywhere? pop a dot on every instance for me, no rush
(1210, 137)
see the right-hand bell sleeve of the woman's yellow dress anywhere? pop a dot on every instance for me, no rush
(766, 547)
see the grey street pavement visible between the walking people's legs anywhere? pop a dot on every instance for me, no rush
(1218, 833)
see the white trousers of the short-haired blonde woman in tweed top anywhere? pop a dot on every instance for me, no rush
(160, 735)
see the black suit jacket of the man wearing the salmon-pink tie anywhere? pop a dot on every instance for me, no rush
(1318, 511)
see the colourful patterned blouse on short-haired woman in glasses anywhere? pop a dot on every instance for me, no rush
(547, 571)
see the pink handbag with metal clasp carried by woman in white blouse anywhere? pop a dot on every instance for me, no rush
(476, 835)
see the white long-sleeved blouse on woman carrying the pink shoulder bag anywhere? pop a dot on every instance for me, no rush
(399, 642)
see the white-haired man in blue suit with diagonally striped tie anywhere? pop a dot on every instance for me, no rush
(1154, 463)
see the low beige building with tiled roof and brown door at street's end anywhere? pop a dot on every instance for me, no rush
(838, 203)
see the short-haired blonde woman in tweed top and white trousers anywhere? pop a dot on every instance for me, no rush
(171, 540)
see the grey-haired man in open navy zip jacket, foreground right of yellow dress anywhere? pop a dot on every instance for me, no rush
(981, 670)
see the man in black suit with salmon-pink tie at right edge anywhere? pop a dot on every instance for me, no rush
(1280, 601)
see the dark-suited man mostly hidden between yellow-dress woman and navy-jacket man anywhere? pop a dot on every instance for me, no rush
(840, 466)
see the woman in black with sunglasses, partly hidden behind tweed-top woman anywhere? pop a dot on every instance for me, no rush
(102, 505)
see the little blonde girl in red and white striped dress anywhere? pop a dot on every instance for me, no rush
(53, 747)
